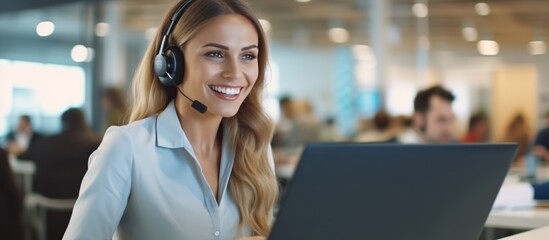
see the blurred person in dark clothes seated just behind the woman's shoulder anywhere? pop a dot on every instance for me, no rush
(61, 162)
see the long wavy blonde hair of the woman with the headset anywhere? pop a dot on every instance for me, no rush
(252, 184)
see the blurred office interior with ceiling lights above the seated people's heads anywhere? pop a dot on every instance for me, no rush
(348, 58)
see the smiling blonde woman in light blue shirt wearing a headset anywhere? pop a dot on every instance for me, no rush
(181, 170)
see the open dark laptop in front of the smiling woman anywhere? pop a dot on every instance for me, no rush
(412, 192)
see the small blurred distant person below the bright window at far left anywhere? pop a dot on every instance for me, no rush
(21, 142)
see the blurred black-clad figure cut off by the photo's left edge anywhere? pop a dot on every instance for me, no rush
(11, 202)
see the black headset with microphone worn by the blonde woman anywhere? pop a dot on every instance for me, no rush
(169, 63)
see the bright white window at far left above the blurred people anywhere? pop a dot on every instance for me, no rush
(42, 91)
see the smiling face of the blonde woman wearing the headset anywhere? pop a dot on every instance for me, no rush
(221, 64)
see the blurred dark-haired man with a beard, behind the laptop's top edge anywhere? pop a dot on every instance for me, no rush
(433, 120)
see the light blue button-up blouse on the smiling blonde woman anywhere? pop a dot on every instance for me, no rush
(145, 180)
